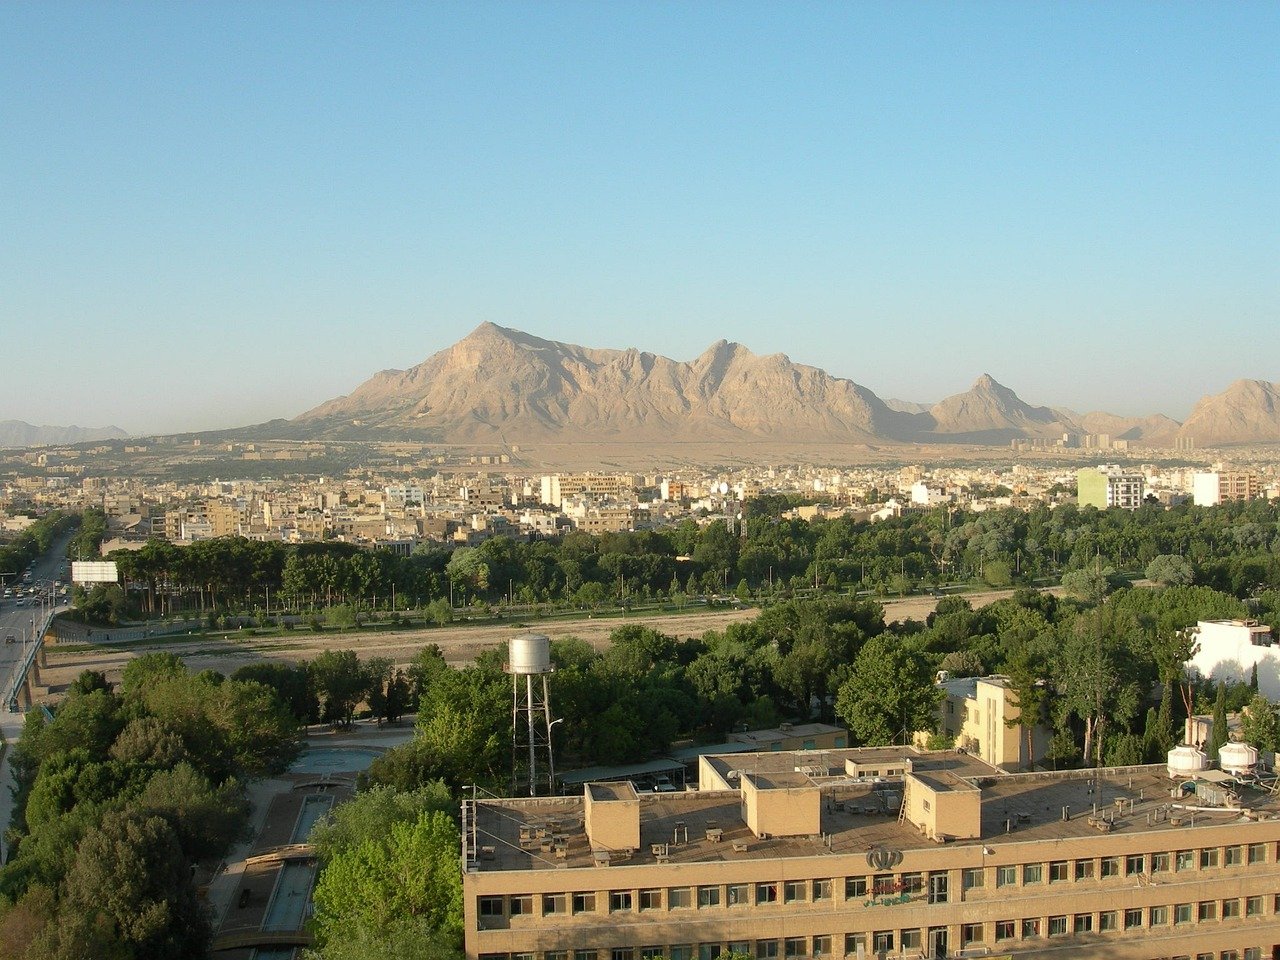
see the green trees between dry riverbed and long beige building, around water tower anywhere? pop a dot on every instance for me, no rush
(1105, 676)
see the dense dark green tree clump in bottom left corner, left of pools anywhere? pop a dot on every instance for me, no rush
(120, 797)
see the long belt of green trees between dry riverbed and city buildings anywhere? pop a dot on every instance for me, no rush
(1235, 548)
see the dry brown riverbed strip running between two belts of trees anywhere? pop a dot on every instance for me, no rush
(461, 644)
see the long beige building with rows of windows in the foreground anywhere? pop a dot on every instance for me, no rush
(879, 853)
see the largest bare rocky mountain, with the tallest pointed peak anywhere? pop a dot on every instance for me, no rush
(502, 385)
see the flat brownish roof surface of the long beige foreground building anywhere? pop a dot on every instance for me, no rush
(857, 815)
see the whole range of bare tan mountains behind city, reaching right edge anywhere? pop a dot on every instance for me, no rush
(504, 386)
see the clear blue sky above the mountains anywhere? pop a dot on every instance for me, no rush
(221, 213)
